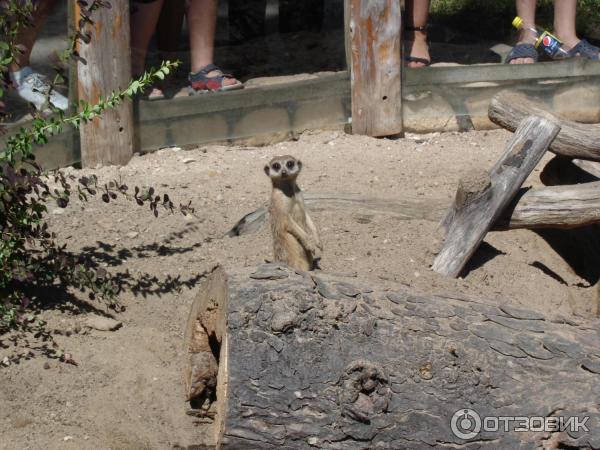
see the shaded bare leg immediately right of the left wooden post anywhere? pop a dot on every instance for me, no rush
(143, 24)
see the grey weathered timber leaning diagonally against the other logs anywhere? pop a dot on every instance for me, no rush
(481, 199)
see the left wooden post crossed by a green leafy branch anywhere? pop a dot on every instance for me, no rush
(108, 140)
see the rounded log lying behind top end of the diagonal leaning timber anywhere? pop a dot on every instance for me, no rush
(575, 140)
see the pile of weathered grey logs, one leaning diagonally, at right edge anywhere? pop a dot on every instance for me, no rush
(493, 199)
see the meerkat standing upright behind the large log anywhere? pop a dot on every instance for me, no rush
(296, 240)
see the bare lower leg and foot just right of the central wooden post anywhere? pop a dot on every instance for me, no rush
(417, 15)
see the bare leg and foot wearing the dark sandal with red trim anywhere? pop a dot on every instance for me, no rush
(202, 24)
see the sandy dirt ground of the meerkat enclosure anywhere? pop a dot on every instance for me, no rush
(126, 391)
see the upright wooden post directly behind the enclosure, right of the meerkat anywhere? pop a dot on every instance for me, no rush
(374, 28)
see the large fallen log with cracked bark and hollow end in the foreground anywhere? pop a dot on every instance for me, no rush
(330, 362)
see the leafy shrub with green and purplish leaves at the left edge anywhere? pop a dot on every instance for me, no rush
(30, 258)
